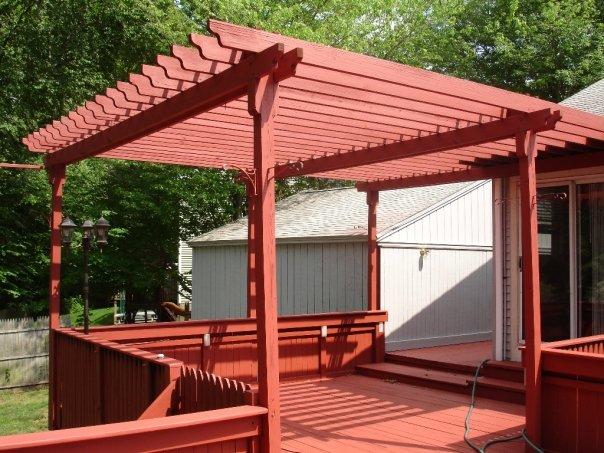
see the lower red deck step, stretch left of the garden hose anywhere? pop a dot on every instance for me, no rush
(416, 376)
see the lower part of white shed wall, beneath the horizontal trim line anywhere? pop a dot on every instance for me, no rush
(441, 298)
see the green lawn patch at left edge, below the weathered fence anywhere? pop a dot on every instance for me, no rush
(23, 411)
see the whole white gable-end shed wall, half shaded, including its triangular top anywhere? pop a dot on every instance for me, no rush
(445, 297)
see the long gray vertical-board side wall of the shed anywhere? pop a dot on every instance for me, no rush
(311, 278)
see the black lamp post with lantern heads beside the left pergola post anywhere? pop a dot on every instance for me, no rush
(90, 231)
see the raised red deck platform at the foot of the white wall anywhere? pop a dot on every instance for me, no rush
(463, 354)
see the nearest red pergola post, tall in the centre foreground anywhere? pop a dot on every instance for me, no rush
(262, 100)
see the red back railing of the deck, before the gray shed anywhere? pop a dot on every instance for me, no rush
(321, 344)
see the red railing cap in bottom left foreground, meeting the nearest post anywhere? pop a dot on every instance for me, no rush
(162, 433)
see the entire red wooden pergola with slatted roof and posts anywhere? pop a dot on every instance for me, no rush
(277, 107)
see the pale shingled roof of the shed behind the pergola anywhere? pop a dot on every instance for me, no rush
(337, 213)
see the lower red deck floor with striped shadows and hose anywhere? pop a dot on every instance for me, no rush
(356, 413)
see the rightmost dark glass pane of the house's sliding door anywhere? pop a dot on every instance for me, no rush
(590, 259)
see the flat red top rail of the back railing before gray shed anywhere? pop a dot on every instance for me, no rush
(189, 329)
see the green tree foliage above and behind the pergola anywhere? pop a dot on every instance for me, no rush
(55, 54)
